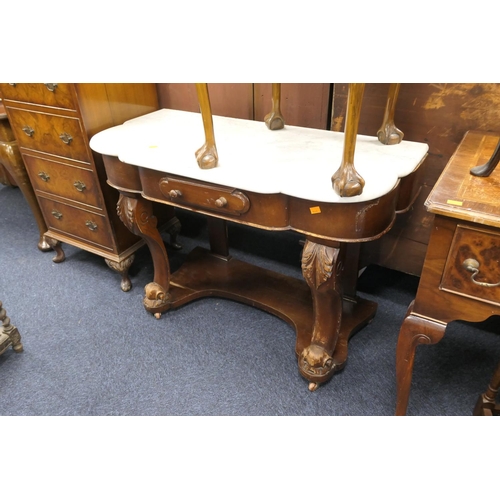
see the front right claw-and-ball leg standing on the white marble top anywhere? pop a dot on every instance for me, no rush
(346, 181)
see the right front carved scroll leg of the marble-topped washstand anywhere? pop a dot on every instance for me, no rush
(321, 268)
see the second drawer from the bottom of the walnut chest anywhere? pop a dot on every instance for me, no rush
(64, 180)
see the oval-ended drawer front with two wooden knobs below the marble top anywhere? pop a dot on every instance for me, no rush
(212, 198)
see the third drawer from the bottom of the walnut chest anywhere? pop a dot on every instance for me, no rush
(53, 134)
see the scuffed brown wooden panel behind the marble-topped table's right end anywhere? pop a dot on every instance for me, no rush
(436, 113)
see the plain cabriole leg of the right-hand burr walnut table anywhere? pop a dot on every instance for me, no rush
(414, 331)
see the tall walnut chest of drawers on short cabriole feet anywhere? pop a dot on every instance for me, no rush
(53, 123)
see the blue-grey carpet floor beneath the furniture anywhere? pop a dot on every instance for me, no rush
(91, 349)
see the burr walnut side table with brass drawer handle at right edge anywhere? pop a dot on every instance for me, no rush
(461, 274)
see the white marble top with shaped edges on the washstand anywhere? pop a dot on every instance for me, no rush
(296, 161)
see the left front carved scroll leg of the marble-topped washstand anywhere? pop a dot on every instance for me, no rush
(137, 215)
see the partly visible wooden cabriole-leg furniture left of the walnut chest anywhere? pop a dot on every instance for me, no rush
(15, 174)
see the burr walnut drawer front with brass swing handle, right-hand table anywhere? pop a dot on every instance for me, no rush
(474, 250)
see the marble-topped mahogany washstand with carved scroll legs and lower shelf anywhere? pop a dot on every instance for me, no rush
(277, 181)
